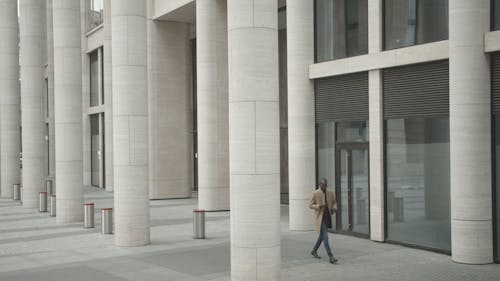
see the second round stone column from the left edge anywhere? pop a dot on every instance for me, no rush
(32, 14)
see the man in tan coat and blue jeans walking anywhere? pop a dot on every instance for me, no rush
(324, 204)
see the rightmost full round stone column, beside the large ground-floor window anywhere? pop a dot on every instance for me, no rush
(470, 133)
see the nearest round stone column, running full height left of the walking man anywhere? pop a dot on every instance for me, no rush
(254, 139)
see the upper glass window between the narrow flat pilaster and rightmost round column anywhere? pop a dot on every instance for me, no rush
(413, 22)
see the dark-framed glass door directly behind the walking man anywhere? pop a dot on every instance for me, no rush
(352, 192)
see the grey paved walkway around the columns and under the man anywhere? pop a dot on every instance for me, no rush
(34, 247)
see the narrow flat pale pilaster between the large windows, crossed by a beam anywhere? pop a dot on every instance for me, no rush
(376, 126)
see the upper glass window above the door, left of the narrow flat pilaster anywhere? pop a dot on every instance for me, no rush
(341, 29)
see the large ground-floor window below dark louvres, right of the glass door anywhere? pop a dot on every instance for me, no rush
(418, 181)
